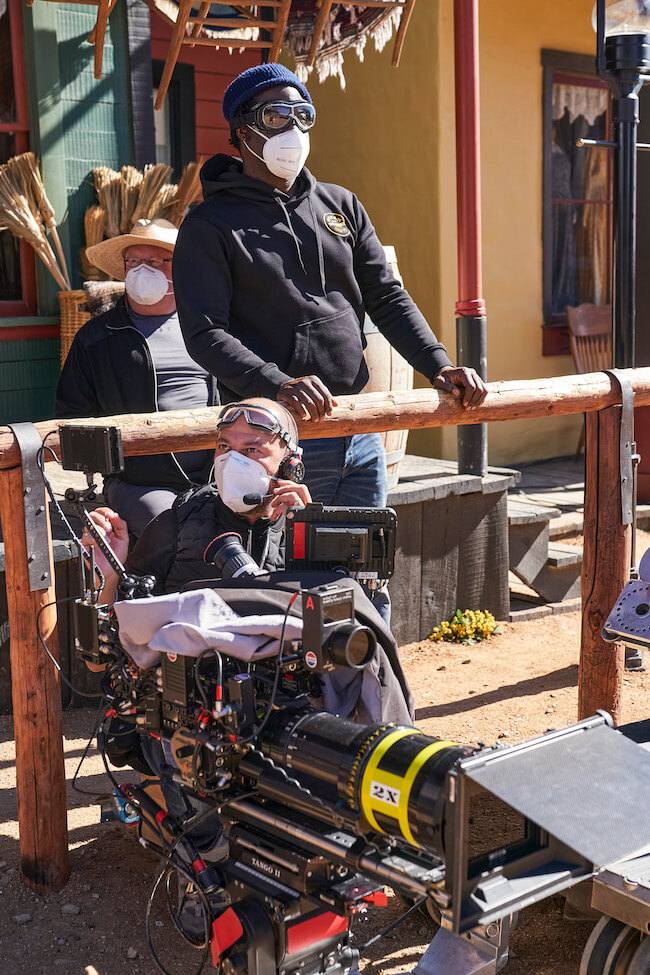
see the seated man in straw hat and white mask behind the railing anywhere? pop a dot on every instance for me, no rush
(132, 359)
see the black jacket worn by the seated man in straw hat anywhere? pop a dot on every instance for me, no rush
(109, 371)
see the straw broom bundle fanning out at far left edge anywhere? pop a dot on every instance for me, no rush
(28, 214)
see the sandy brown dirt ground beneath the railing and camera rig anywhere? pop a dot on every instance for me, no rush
(511, 688)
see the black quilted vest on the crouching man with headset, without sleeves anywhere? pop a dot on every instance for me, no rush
(201, 516)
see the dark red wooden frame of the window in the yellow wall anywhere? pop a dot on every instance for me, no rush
(555, 332)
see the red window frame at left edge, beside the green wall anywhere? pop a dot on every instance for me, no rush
(20, 130)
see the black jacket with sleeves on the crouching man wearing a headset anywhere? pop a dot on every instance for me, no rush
(172, 546)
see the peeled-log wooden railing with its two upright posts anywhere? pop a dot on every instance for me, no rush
(35, 687)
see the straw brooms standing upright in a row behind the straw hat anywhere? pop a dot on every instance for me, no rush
(132, 195)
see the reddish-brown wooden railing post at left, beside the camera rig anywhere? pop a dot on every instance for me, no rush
(36, 695)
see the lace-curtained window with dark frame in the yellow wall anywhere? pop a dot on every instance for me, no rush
(577, 195)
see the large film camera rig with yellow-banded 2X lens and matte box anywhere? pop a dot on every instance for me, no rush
(321, 813)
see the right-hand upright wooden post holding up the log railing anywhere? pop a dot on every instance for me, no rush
(605, 566)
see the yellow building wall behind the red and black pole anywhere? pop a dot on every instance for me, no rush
(390, 137)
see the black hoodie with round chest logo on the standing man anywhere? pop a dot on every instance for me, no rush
(271, 286)
